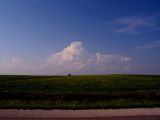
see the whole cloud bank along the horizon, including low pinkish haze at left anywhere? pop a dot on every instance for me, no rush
(73, 59)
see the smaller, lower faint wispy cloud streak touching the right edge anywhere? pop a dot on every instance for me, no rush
(149, 45)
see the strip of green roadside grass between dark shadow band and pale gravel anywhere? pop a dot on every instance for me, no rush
(119, 103)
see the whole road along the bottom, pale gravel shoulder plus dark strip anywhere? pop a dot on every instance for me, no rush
(111, 114)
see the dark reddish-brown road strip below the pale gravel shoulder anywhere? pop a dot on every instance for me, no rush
(147, 117)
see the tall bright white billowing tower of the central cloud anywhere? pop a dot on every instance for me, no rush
(72, 56)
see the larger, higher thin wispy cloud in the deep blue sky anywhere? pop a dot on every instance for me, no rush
(136, 24)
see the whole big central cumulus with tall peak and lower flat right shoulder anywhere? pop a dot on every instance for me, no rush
(75, 59)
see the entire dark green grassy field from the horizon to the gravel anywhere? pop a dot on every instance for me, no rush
(79, 92)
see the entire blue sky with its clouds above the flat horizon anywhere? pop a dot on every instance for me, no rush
(58, 37)
